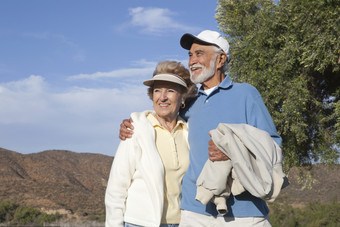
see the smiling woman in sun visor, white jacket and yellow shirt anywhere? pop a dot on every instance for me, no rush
(144, 188)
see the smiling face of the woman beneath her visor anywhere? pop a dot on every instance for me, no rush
(167, 99)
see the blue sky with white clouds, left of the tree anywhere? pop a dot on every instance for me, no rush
(71, 71)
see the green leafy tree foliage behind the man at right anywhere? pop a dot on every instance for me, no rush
(290, 52)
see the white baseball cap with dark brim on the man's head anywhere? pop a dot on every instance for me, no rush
(206, 37)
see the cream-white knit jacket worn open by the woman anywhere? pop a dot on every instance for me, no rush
(135, 190)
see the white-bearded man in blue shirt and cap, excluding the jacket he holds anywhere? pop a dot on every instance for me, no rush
(219, 100)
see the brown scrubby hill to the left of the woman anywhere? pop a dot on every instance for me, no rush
(55, 180)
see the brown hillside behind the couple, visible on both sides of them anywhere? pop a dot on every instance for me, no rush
(74, 183)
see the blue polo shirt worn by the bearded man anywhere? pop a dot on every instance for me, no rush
(234, 103)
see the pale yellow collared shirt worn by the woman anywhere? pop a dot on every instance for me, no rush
(173, 149)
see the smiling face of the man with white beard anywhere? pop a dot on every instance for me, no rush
(202, 62)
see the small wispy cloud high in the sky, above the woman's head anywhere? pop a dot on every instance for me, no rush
(156, 21)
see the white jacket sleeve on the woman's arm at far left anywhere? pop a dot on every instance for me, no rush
(122, 171)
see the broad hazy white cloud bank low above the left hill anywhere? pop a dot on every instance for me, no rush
(34, 118)
